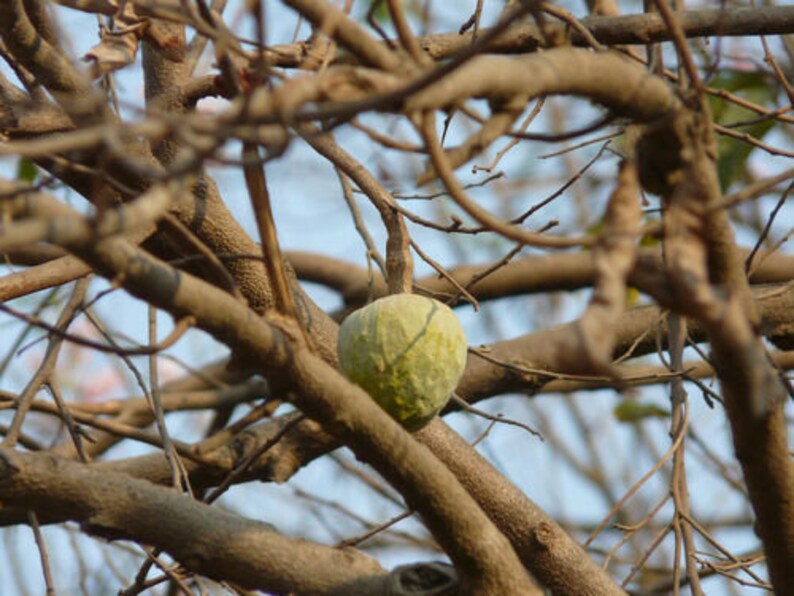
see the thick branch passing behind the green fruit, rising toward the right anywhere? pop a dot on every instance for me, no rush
(517, 365)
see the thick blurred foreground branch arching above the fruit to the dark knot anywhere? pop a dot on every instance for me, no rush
(607, 78)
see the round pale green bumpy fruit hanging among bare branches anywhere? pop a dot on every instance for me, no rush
(408, 352)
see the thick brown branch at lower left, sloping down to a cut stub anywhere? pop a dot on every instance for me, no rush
(207, 540)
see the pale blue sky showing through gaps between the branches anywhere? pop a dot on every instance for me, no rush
(307, 198)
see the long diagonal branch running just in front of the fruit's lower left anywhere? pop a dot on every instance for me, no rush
(483, 557)
